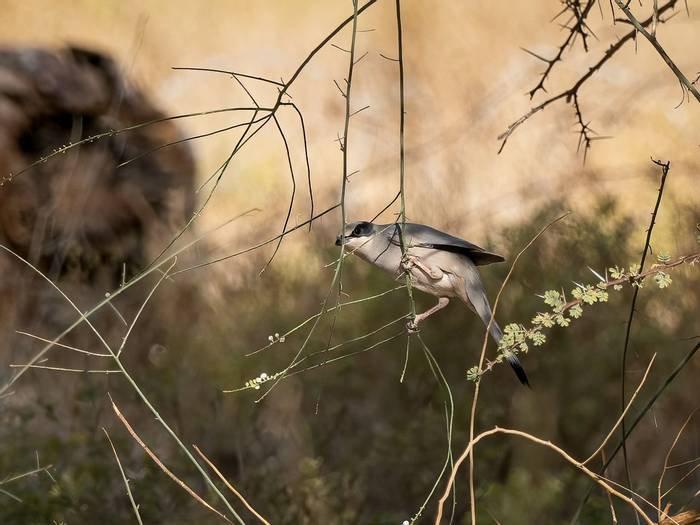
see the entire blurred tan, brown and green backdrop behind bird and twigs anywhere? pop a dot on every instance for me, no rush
(345, 442)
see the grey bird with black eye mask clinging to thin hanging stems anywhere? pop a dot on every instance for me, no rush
(438, 263)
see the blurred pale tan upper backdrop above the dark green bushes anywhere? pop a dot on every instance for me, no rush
(465, 81)
